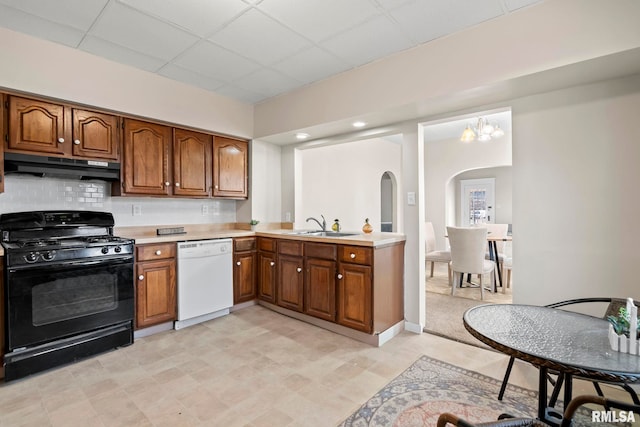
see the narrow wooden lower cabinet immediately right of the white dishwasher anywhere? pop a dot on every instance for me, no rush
(244, 269)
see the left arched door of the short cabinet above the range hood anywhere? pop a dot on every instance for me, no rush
(36, 127)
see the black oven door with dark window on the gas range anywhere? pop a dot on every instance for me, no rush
(53, 302)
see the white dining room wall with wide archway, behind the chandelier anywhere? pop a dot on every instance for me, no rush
(444, 160)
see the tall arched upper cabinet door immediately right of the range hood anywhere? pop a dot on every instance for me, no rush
(146, 158)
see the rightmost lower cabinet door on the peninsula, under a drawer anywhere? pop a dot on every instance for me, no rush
(355, 297)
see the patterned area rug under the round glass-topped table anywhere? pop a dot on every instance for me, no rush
(430, 387)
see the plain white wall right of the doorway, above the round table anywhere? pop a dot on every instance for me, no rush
(575, 192)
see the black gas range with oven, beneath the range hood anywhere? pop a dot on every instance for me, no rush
(68, 288)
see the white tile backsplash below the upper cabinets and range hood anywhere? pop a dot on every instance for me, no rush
(28, 193)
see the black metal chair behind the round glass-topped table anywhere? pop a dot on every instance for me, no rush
(612, 308)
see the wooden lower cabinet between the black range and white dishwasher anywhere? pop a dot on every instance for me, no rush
(155, 279)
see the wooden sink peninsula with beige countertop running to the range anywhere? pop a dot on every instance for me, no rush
(351, 285)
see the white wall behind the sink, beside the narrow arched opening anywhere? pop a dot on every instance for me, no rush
(343, 181)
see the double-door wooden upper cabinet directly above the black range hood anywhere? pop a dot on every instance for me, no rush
(38, 127)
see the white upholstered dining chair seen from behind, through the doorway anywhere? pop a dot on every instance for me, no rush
(467, 254)
